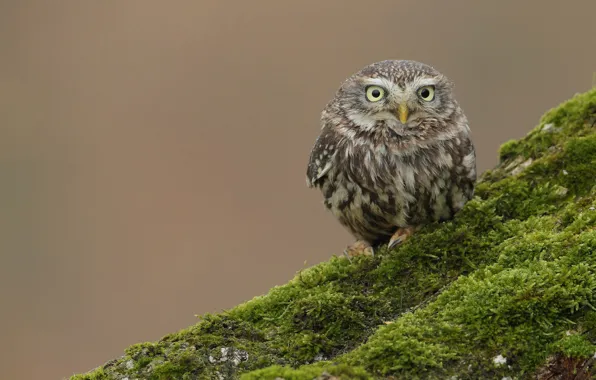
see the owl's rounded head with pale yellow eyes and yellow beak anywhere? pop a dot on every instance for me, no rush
(406, 96)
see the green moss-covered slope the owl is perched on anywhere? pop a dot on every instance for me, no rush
(506, 289)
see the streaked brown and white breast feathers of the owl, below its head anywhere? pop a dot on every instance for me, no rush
(372, 189)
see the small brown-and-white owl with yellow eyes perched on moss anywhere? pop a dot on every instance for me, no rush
(394, 153)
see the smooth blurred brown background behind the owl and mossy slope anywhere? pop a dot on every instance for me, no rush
(153, 153)
